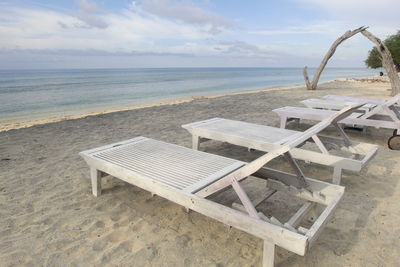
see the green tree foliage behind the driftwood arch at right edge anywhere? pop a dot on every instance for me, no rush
(374, 59)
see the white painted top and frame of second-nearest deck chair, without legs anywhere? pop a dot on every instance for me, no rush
(267, 138)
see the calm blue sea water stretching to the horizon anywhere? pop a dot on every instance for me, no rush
(27, 94)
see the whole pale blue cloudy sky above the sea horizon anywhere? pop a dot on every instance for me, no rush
(187, 33)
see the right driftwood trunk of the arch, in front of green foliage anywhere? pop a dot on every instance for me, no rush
(387, 61)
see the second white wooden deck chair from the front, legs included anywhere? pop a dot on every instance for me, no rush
(322, 150)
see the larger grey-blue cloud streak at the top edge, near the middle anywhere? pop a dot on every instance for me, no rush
(188, 12)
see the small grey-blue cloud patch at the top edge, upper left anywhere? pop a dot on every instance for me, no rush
(89, 14)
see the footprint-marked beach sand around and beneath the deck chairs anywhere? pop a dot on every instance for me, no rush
(48, 216)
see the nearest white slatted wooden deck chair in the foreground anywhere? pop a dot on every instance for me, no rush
(187, 177)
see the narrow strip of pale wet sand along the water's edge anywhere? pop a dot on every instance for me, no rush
(52, 119)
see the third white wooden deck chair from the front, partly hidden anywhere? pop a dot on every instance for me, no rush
(381, 116)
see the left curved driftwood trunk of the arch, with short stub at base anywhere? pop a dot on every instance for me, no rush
(313, 85)
